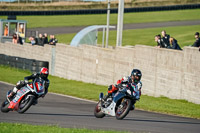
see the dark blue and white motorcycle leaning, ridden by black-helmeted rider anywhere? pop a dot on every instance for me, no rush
(118, 105)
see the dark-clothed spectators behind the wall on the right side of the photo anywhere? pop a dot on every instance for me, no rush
(165, 41)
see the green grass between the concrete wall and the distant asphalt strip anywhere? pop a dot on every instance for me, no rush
(184, 35)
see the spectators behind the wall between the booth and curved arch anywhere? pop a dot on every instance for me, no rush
(43, 39)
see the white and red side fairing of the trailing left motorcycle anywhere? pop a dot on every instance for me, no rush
(14, 104)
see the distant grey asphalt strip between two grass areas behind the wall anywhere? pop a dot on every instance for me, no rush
(67, 30)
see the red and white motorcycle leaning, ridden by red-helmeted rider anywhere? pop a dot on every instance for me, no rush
(25, 97)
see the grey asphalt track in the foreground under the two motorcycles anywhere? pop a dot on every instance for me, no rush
(74, 113)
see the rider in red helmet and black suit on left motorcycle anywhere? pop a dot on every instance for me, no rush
(42, 75)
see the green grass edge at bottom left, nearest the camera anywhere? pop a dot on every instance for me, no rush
(27, 128)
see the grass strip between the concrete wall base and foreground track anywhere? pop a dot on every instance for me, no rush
(91, 91)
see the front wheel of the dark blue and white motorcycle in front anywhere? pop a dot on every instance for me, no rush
(123, 109)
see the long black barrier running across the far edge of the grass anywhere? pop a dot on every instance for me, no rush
(101, 11)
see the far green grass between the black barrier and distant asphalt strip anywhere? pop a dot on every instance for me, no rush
(99, 19)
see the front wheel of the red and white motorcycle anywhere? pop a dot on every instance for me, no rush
(25, 103)
